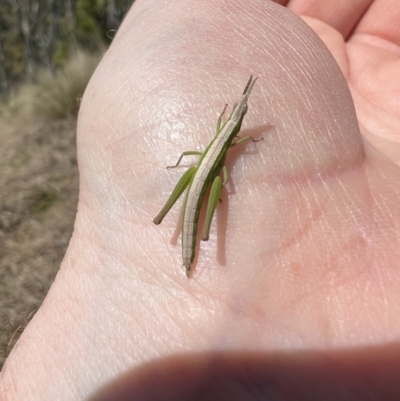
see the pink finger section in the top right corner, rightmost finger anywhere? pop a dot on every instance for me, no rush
(382, 20)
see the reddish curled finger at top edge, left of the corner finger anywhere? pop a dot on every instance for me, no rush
(342, 15)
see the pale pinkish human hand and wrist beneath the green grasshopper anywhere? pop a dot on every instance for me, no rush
(296, 294)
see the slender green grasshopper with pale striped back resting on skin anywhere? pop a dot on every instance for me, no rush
(206, 171)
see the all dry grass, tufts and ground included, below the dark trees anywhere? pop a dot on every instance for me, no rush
(38, 190)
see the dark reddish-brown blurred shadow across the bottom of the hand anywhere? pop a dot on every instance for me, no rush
(363, 374)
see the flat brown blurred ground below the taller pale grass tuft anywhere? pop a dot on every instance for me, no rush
(38, 200)
